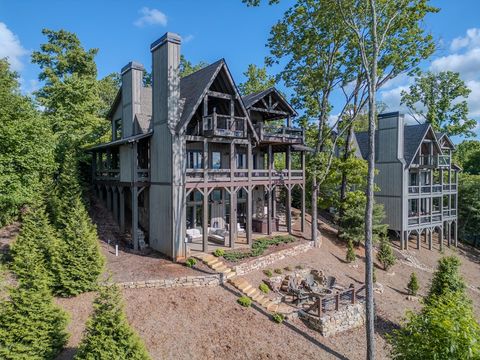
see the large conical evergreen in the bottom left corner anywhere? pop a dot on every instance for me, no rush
(31, 325)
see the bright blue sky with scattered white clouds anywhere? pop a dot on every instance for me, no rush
(211, 29)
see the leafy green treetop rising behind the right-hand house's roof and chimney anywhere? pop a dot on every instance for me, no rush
(443, 95)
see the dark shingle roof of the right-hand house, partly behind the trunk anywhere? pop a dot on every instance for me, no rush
(413, 136)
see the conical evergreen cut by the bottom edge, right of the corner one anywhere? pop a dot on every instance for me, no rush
(108, 334)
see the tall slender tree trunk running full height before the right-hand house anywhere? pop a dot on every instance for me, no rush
(372, 84)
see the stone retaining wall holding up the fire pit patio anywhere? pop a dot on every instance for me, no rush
(347, 318)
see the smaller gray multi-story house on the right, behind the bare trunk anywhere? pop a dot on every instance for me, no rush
(417, 179)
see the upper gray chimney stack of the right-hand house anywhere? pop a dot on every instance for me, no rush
(390, 140)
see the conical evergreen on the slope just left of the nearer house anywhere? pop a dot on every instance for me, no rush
(81, 261)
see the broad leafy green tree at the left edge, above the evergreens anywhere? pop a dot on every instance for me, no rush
(26, 151)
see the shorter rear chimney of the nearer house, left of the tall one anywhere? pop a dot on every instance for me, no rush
(132, 82)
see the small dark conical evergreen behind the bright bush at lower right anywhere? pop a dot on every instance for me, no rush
(446, 278)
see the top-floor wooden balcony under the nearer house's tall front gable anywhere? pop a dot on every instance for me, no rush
(224, 126)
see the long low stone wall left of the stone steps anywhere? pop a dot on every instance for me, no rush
(184, 281)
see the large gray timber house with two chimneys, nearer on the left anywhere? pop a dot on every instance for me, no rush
(192, 163)
